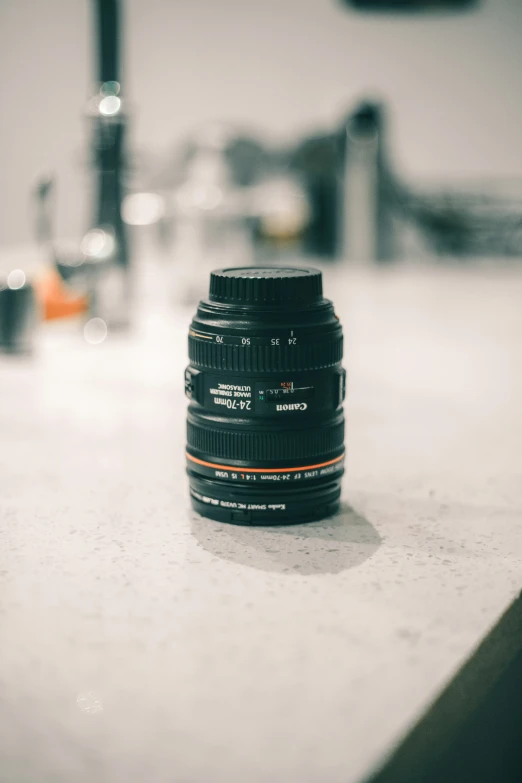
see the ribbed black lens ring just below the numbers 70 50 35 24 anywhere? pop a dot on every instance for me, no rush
(266, 358)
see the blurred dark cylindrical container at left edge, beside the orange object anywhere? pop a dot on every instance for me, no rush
(17, 313)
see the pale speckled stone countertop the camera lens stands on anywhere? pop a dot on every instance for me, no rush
(140, 642)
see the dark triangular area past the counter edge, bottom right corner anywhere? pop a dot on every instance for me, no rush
(471, 733)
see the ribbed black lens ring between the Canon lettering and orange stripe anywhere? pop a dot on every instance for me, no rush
(265, 446)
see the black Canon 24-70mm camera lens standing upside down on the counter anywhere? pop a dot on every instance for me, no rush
(265, 429)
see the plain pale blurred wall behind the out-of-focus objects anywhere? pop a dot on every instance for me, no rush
(283, 66)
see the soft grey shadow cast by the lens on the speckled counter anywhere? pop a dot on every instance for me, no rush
(330, 546)
